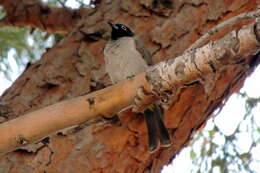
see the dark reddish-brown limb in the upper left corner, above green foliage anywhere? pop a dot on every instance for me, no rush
(37, 15)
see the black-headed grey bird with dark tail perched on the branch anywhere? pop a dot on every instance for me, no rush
(125, 56)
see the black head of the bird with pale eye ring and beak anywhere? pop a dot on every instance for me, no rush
(120, 30)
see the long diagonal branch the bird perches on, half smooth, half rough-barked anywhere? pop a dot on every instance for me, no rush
(169, 75)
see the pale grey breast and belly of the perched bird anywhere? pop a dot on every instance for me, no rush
(121, 54)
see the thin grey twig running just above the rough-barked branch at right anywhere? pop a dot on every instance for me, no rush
(228, 23)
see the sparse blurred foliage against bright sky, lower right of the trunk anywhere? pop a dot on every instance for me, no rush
(219, 152)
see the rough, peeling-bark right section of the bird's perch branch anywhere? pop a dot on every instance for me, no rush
(208, 59)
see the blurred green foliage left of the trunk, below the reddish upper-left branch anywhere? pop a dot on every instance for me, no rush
(26, 45)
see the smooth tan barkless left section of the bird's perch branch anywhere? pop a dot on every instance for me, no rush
(38, 124)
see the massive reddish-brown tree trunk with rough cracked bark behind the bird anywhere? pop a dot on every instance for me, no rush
(75, 66)
